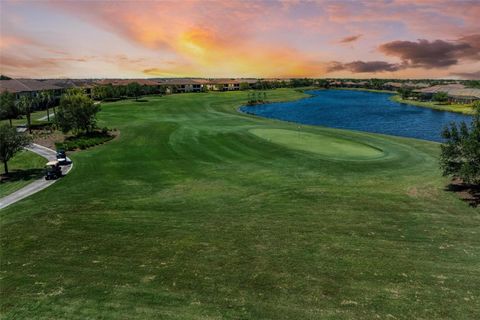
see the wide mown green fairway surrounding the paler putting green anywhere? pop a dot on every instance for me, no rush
(190, 215)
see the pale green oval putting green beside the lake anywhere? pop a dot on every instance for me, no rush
(325, 145)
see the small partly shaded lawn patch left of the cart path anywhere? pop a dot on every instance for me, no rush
(23, 168)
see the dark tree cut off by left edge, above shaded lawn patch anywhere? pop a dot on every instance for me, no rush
(10, 143)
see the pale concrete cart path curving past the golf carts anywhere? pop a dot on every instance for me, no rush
(37, 185)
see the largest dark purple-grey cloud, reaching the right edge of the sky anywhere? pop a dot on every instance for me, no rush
(433, 54)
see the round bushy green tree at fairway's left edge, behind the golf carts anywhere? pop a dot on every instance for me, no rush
(76, 112)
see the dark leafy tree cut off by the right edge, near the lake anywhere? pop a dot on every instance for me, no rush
(460, 154)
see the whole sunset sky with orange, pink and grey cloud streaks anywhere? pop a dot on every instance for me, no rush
(233, 38)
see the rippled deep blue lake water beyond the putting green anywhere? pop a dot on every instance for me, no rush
(363, 111)
